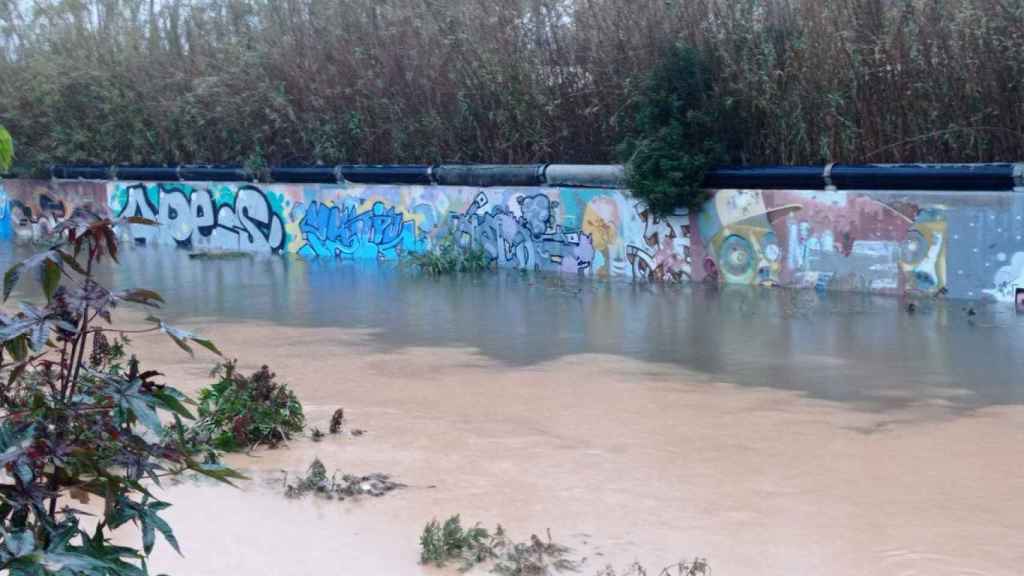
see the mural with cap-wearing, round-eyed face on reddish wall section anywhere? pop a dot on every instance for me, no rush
(824, 240)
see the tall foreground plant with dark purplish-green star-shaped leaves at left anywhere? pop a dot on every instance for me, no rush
(79, 421)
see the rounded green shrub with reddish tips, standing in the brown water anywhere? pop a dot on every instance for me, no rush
(241, 413)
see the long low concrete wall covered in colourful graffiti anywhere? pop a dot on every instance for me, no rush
(967, 244)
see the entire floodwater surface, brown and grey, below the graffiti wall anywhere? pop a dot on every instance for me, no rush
(774, 433)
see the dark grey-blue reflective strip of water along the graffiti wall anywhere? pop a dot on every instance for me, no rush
(839, 347)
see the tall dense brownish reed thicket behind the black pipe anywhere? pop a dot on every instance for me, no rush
(279, 81)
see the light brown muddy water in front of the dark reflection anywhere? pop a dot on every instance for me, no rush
(622, 460)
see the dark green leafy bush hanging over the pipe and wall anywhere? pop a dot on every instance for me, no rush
(674, 137)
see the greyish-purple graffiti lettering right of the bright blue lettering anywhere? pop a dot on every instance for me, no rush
(528, 237)
